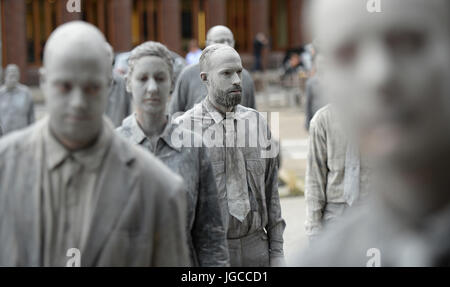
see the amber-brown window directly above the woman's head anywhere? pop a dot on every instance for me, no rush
(144, 21)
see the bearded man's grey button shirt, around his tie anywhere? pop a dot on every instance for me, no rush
(261, 174)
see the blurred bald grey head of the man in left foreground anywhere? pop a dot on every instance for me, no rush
(75, 81)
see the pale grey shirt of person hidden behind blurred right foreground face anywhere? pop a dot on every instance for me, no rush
(325, 172)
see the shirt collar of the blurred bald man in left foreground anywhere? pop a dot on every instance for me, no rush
(90, 158)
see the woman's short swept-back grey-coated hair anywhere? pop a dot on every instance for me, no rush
(150, 48)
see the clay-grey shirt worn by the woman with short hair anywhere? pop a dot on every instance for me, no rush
(205, 227)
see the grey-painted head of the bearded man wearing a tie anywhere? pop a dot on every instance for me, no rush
(223, 78)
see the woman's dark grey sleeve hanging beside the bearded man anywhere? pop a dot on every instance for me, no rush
(209, 233)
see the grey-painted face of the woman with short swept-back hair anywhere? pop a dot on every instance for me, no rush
(150, 84)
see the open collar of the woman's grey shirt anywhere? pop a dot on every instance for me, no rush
(138, 136)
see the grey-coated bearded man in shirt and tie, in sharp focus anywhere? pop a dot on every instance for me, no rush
(246, 173)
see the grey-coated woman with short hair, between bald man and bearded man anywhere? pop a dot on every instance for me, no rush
(151, 79)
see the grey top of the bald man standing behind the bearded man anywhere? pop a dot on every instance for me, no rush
(190, 90)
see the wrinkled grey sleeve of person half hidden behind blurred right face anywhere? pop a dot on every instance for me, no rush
(316, 177)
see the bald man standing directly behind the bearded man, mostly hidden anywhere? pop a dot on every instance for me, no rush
(189, 89)
